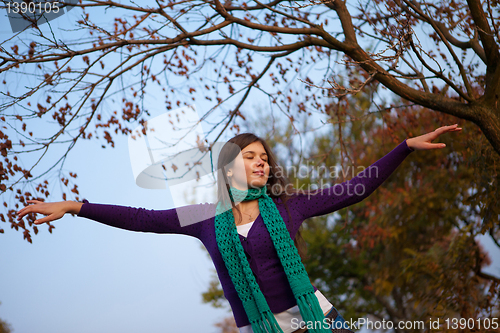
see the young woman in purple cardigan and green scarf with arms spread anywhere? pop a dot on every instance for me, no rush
(252, 233)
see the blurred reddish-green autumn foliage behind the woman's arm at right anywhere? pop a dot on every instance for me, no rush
(409, 251)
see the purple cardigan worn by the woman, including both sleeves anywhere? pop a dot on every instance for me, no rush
(258, 245)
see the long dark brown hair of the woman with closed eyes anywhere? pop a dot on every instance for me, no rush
(277, 184)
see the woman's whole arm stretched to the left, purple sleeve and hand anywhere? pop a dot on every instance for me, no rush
(184, 220)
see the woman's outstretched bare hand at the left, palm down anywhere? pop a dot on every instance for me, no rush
(53, 210)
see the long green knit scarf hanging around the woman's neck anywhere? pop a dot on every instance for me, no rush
(254, 302)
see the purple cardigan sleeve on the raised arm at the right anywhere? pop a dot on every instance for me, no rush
(338, 196)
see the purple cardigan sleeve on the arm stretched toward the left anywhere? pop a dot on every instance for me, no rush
(185, 220)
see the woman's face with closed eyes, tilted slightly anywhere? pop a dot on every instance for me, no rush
(251, 168)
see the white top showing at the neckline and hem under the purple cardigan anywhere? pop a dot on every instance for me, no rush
(284, 318)
